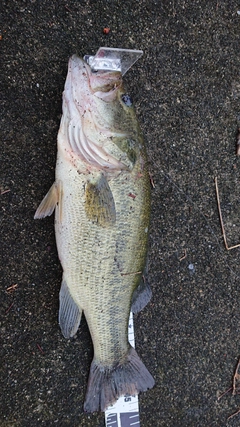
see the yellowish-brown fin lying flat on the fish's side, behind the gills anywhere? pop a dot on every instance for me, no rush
(99, 202)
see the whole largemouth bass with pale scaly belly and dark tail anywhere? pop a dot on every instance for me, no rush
(101, 198)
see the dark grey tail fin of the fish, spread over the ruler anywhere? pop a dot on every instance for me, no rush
(107, 384)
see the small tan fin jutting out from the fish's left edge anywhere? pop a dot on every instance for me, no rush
(48, 204)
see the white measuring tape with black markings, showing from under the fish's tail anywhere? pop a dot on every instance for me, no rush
(125, 412)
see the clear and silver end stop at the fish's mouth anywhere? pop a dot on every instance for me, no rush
(113, 59)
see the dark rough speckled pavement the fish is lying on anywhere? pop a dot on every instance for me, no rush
(186, 89)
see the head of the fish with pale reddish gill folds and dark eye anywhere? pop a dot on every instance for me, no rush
(99, 124)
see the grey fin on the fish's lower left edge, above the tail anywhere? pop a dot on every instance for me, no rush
(69, 313)
